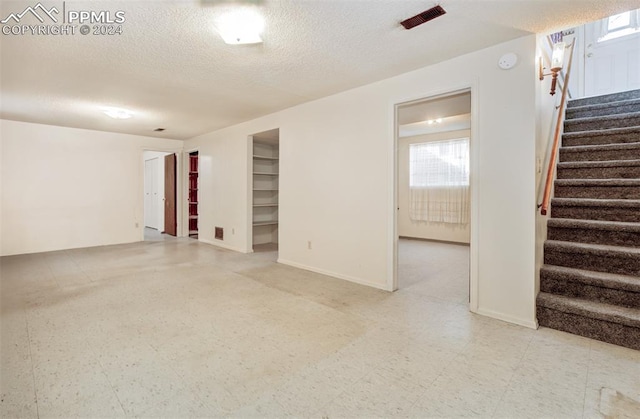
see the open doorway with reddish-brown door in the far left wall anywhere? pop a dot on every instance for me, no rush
(159, 195)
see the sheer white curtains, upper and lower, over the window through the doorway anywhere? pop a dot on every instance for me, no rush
(439, 181)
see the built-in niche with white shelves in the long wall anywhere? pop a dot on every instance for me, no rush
(265, 185)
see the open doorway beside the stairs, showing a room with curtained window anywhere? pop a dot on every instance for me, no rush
(433, 143)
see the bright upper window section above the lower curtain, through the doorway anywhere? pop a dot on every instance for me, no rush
(438, 164)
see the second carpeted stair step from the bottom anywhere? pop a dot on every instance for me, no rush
(602, 287)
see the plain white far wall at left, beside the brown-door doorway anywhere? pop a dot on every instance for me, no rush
(67, 188)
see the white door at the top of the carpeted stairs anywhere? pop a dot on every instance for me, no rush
(612, 55)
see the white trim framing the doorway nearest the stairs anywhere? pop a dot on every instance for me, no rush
(474, 159)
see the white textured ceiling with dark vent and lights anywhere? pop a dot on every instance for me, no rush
(173, 71)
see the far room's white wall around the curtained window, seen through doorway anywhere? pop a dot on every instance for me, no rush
(459, 233)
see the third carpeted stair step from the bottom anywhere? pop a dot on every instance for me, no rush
(593, 257)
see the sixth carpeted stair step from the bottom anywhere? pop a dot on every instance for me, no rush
(598, 188)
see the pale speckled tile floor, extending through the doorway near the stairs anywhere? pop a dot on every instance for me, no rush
(179, 329)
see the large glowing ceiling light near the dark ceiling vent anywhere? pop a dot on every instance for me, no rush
(240, 26)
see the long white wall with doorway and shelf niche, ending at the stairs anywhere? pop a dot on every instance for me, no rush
(337, 166)
